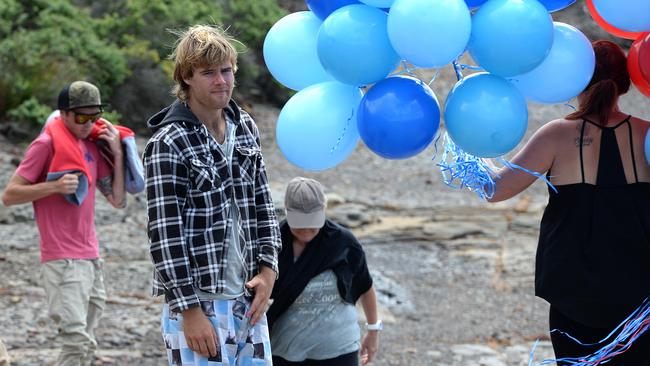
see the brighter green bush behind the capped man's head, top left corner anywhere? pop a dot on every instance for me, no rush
(49, 43)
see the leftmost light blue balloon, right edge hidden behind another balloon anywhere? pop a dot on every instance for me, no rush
(290, 51)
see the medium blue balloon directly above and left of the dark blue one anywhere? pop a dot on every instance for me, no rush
(353, 45)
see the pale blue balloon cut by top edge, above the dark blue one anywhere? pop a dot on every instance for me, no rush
(412, 24)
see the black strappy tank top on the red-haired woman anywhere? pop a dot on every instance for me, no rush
(593, 257)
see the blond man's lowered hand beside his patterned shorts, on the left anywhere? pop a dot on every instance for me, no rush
(200, 335)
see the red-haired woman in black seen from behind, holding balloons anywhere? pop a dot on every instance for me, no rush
(593, 257)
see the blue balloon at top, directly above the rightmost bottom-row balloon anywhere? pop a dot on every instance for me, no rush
(511, 37)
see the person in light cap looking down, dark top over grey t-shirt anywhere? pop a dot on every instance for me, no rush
(323, 272)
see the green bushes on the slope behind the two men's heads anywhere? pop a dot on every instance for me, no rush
(123, 46)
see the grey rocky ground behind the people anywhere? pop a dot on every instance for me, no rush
(454, 274)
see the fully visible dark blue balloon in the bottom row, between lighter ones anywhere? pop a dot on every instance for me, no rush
(398, 117)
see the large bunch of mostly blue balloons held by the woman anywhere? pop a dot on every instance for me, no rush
(343, 57)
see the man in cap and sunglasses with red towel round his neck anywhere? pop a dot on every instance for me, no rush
(59, 173)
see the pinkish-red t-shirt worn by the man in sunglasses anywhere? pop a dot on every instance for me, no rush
(67, 231)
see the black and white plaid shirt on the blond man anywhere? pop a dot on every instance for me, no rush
(189, 187)
